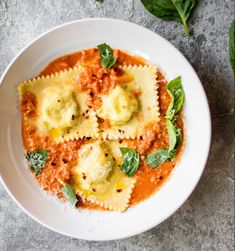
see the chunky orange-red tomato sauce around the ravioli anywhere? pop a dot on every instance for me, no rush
(97, 80)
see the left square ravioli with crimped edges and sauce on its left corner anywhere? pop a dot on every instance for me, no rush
(60, 110)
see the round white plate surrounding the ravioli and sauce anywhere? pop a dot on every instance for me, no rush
(95, 225)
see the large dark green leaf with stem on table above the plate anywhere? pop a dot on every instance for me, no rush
(178, 10)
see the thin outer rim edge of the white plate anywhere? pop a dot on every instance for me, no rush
(207, 108)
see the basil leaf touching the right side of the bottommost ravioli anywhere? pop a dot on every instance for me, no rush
(130, 162)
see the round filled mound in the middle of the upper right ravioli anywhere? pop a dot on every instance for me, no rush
(118, 106)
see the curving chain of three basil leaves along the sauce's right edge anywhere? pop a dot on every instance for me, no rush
(175, 89)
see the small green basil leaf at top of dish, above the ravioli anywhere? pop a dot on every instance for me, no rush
(106, 55)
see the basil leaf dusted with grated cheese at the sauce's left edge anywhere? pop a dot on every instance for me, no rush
(37, 160)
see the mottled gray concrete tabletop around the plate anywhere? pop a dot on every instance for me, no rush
(205, 221)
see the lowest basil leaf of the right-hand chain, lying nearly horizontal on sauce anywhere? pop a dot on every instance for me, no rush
(160, 156)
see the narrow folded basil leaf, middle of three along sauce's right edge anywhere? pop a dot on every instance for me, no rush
(174, 133)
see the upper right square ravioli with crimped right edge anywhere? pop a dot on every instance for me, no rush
(132, 106)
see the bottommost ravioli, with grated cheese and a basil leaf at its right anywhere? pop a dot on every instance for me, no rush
(97, 176)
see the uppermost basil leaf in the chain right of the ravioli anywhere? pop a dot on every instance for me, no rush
(176, 91)
